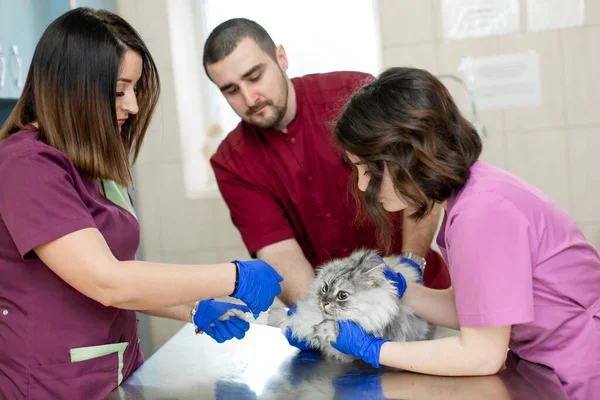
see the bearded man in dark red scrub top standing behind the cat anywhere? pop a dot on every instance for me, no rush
(283, 179)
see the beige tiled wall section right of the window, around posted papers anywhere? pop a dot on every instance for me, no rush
(554, 146)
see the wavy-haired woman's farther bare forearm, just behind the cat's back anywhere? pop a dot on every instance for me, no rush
(435, 306)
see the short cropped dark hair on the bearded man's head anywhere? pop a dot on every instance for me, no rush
(225, 38)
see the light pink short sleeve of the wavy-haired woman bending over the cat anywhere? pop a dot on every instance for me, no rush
(491, 262)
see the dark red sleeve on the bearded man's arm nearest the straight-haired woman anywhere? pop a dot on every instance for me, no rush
(255, 212)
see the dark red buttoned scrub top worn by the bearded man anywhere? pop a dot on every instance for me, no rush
(281, 185)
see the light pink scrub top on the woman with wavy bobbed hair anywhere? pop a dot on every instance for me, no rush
(516, 258)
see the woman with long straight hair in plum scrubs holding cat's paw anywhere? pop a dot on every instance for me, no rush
(69, 281)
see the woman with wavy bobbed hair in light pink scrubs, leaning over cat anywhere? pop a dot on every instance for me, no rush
(523, 275)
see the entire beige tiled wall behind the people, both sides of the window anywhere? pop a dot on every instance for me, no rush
(553, 146)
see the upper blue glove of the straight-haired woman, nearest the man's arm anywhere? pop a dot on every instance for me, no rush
(258, 285)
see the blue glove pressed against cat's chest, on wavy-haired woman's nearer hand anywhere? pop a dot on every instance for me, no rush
(353, 340)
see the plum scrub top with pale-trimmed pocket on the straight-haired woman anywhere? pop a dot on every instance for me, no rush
(56, 342)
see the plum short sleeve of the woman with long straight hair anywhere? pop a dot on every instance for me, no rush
(39, 202)
